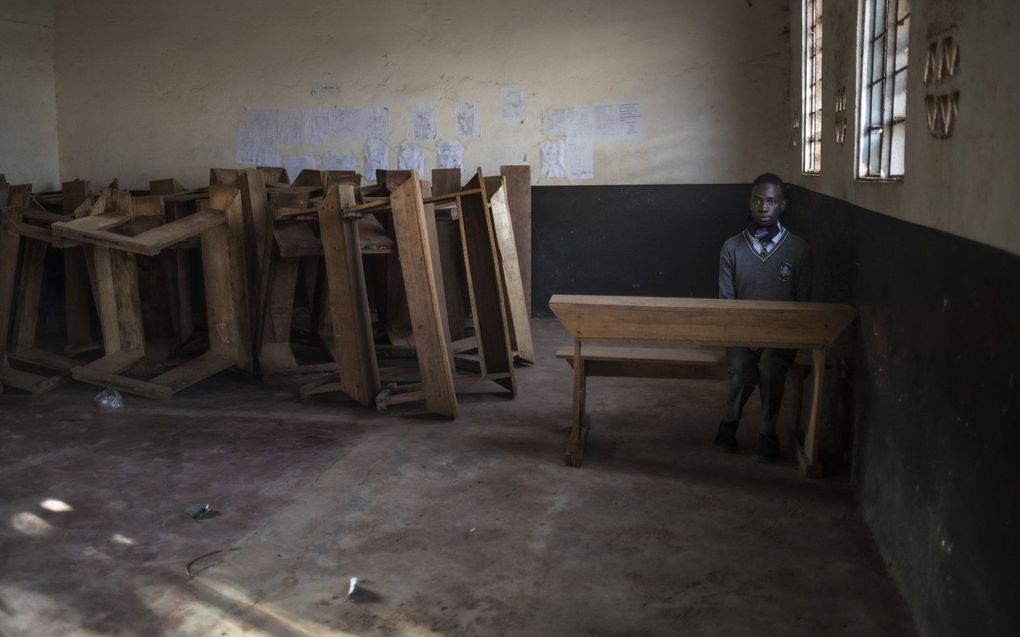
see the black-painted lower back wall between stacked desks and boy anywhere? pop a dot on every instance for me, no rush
(646, 241)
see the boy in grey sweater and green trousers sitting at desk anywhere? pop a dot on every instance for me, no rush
(763, 262)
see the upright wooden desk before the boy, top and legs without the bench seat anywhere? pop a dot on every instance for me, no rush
(717, 323)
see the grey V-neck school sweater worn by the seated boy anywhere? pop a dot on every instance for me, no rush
(785, 275)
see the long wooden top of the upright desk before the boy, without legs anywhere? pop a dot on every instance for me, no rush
(710, 322)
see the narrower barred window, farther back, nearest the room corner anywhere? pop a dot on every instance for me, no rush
(812, 83)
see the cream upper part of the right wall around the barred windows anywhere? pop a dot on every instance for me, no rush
(965, 185)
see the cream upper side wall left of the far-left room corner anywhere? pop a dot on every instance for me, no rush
(28, 102)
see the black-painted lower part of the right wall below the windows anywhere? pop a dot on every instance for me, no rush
(936, 407)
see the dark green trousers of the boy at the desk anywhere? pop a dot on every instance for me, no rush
(766, 368)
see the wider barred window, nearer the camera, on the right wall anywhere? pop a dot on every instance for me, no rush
(882, 135)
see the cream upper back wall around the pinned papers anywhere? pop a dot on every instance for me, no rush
(149, 89)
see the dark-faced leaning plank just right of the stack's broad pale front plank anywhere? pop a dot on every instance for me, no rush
(485, 284)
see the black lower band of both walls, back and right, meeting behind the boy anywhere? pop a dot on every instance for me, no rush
(928, 381)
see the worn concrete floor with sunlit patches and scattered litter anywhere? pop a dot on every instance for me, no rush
(472, 527)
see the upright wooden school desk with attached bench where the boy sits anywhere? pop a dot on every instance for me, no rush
(688, 338)
